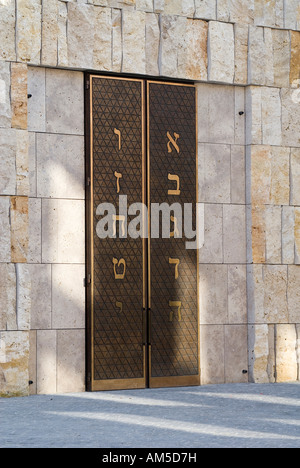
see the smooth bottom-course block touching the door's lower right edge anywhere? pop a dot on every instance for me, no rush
(212, 354)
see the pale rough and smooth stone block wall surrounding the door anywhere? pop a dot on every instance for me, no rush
(245, 55)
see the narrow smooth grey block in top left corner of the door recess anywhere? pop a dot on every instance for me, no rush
(37, 103)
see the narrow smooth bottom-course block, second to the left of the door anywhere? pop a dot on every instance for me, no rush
(46, 361)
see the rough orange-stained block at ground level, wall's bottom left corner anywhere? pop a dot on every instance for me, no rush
(14, 358)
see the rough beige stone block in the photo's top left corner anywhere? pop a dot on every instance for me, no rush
(8, 30)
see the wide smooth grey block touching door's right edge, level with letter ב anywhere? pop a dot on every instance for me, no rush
(214, 173)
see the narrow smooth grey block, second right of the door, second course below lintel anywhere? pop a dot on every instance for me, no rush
(238, 173)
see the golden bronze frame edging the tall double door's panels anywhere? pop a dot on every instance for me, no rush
(146, 380)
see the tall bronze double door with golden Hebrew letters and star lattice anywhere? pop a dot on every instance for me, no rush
(142, 291)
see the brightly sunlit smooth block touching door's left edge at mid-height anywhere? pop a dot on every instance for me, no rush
(63, 227)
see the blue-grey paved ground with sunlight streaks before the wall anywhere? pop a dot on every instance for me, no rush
(239, 415)
